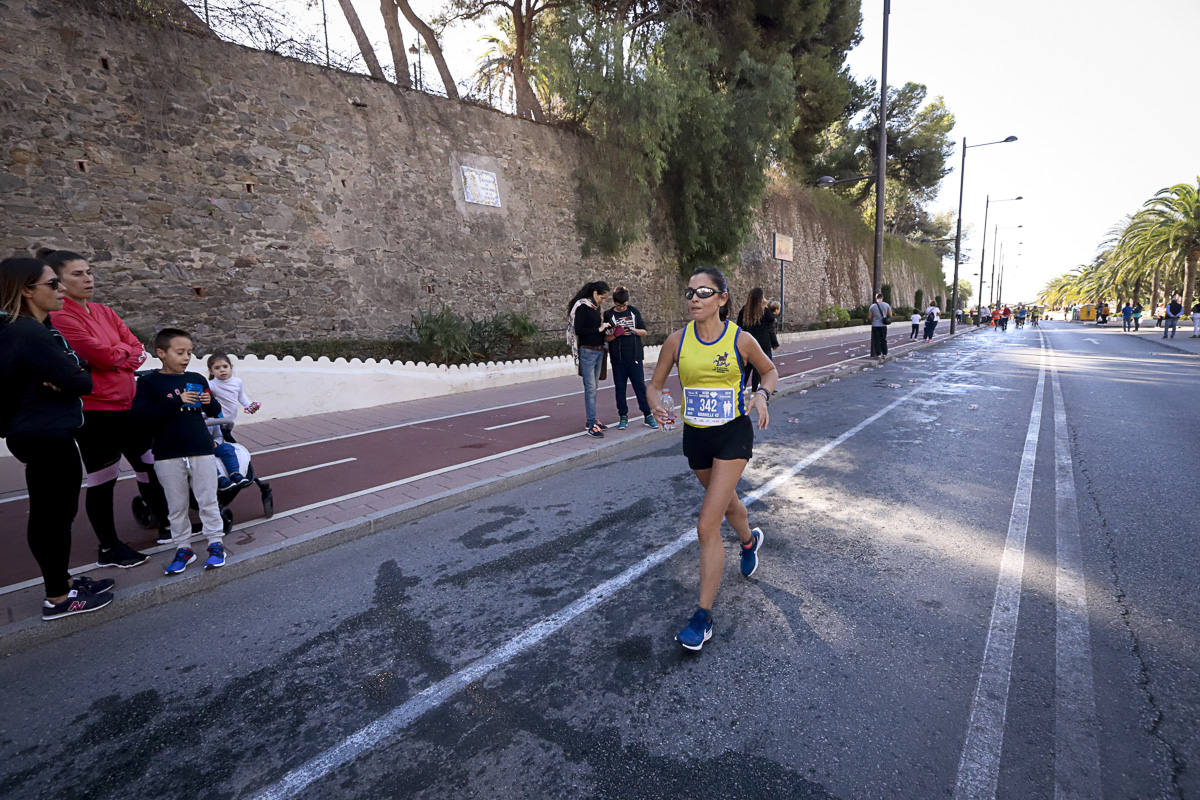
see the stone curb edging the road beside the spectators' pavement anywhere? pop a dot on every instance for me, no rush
(34, 631)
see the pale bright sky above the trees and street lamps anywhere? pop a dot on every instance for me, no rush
(1101, 95)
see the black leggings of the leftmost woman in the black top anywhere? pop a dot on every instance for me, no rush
(52, 476)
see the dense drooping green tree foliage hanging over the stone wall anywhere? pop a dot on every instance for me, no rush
(693, 100)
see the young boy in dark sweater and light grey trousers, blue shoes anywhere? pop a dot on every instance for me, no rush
(173, 404)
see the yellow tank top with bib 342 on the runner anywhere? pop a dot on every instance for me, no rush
(711, 374)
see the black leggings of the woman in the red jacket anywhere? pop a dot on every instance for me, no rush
(104, 438)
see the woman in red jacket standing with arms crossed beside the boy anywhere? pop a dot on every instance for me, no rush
(110, 430)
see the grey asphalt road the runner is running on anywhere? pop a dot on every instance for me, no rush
(521, 647)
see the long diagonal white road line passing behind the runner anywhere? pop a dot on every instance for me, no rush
(407, 713)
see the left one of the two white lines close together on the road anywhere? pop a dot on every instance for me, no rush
(980, 766)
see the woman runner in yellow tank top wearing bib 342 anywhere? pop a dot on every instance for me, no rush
(718, 437)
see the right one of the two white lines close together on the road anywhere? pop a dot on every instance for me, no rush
(1077, 754)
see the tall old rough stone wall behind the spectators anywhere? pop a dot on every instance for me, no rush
(250, 197)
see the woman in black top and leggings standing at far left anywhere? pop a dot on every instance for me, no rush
(40, 412)
